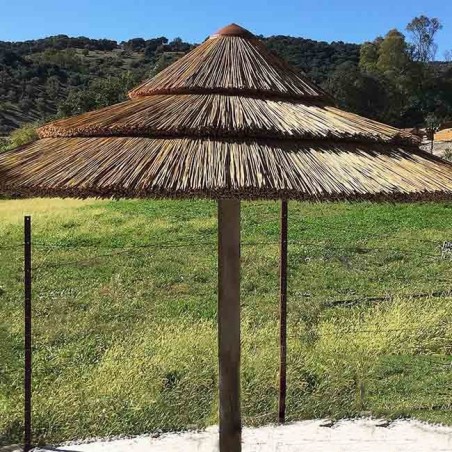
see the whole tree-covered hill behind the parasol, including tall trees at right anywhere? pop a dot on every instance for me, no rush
(393, 79)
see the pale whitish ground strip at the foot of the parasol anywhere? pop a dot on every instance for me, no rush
(363, 435)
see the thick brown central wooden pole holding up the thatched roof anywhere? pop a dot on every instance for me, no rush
(229, 324)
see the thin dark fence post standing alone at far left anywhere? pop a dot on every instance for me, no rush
(27, 329)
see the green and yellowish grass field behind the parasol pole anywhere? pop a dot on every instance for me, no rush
(125, 314)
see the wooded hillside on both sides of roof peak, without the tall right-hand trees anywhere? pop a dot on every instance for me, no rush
(46, 77)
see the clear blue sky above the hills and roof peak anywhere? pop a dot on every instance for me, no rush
(345, 20)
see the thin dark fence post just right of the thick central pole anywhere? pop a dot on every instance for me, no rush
(283, 315)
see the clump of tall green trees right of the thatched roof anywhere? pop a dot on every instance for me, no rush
(397, 80)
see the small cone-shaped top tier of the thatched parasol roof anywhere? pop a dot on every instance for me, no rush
(231, 61)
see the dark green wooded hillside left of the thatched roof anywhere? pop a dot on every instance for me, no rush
(60, 76)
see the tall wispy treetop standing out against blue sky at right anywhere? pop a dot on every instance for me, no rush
(422, 30)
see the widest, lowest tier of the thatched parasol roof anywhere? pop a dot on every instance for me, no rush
(182, 167)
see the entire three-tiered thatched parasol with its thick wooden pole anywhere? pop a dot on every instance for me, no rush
(228, 121)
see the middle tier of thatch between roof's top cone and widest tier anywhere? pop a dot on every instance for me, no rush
(217, 116)
